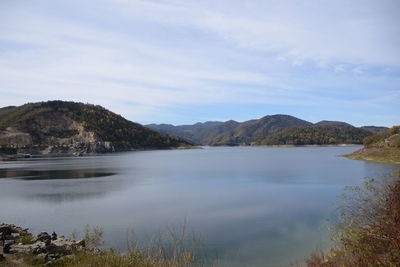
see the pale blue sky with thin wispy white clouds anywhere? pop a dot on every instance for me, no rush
(184, 61)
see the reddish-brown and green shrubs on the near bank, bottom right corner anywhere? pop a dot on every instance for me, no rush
(368, 233)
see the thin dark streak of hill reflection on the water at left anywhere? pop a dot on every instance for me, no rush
(53, 174)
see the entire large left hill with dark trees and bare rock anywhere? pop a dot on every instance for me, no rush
(58, 126)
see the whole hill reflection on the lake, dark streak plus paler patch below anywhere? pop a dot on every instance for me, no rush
(56, 186)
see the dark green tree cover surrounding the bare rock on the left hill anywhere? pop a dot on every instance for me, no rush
(107, 125)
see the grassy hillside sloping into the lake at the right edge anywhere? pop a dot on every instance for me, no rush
(381, 147)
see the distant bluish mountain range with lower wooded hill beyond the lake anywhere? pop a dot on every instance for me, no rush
(269, 130)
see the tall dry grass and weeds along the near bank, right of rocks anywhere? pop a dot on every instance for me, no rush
(173, 248)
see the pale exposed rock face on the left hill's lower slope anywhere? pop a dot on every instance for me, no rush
(52, 133)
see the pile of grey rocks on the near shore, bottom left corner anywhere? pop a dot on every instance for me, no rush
(45, 248)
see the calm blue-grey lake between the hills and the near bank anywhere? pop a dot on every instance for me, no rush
(251, 206)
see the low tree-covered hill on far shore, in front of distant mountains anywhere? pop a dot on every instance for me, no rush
(316, 135)
